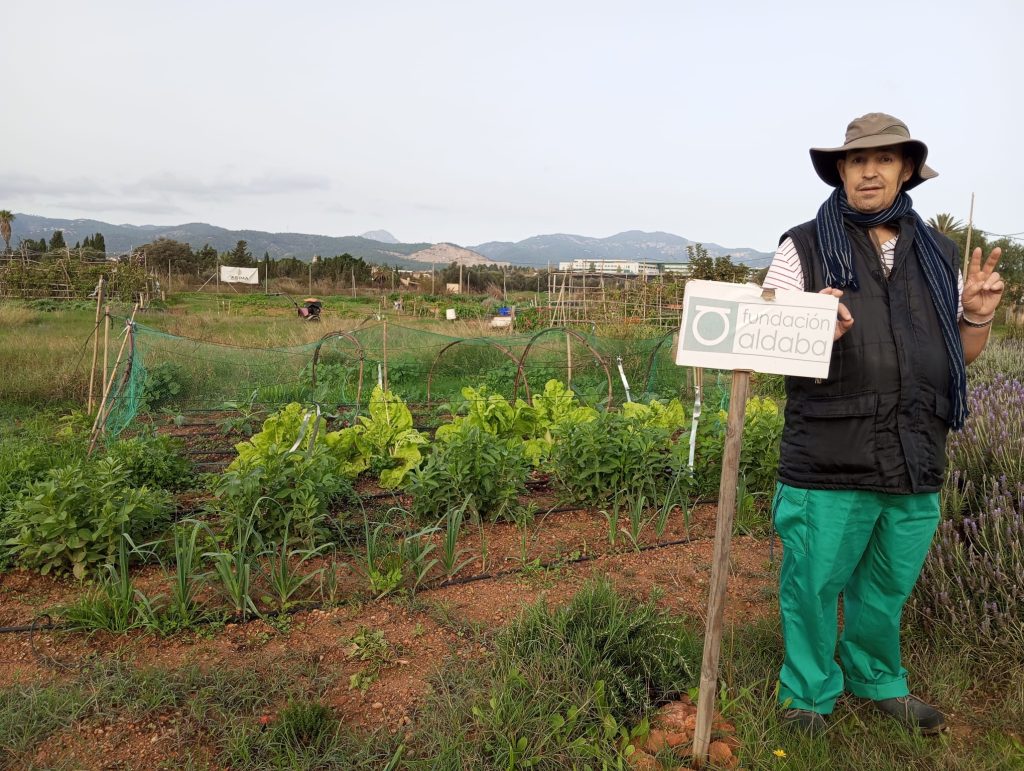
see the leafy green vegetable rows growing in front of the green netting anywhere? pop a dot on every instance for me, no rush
(395, 501)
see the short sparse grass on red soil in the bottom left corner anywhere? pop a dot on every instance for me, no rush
(252, 718)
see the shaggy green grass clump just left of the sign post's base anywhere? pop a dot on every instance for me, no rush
(564, 689)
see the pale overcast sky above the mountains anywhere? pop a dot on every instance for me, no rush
(483, 121)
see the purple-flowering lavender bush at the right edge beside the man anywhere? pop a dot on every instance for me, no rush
(972, 586)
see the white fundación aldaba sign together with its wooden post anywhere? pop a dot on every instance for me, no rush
(739, 328)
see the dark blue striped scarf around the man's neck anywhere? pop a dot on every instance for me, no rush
(837, 255)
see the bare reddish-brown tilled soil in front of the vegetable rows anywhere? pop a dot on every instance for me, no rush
(560, 554)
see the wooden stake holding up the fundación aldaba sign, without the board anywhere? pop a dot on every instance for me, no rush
(720, 564)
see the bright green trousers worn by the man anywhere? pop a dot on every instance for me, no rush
(871, 548)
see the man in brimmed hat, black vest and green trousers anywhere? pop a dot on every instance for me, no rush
(864, 451)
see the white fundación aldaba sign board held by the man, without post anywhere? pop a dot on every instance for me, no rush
(732, 327)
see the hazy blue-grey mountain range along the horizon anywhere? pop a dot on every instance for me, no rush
(382, 247)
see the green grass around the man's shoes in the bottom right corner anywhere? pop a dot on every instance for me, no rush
(983, 698)
